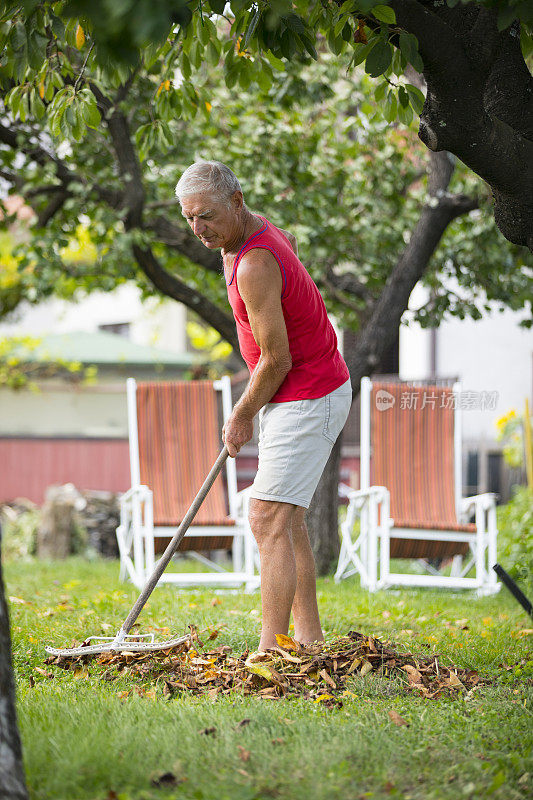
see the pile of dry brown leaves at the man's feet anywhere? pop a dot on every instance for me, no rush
(320, 672)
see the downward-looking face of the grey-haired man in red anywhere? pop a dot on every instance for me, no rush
(213, 221)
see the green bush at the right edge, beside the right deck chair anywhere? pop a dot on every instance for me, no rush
(515, 537)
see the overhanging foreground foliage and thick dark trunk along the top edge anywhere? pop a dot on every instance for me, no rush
(59, 55)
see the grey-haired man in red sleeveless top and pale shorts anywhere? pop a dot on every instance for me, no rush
(299, 384)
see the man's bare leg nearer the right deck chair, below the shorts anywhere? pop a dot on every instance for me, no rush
(304, 607)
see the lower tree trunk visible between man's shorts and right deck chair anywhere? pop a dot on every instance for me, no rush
(321, 517)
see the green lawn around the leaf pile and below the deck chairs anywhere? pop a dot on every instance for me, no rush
(82, 740)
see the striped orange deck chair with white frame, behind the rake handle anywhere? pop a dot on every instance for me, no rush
(174, 437)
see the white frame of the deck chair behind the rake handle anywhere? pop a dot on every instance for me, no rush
(136, 532)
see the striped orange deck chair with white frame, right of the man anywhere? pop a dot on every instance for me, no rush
(409, 505)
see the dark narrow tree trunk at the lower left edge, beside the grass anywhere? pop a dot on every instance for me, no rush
(12, 783)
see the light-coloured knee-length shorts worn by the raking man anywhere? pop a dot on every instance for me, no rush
(295, 440)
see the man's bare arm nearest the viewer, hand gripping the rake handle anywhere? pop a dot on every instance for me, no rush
(260, 286)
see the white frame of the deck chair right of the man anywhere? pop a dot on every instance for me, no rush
(369, 552)
